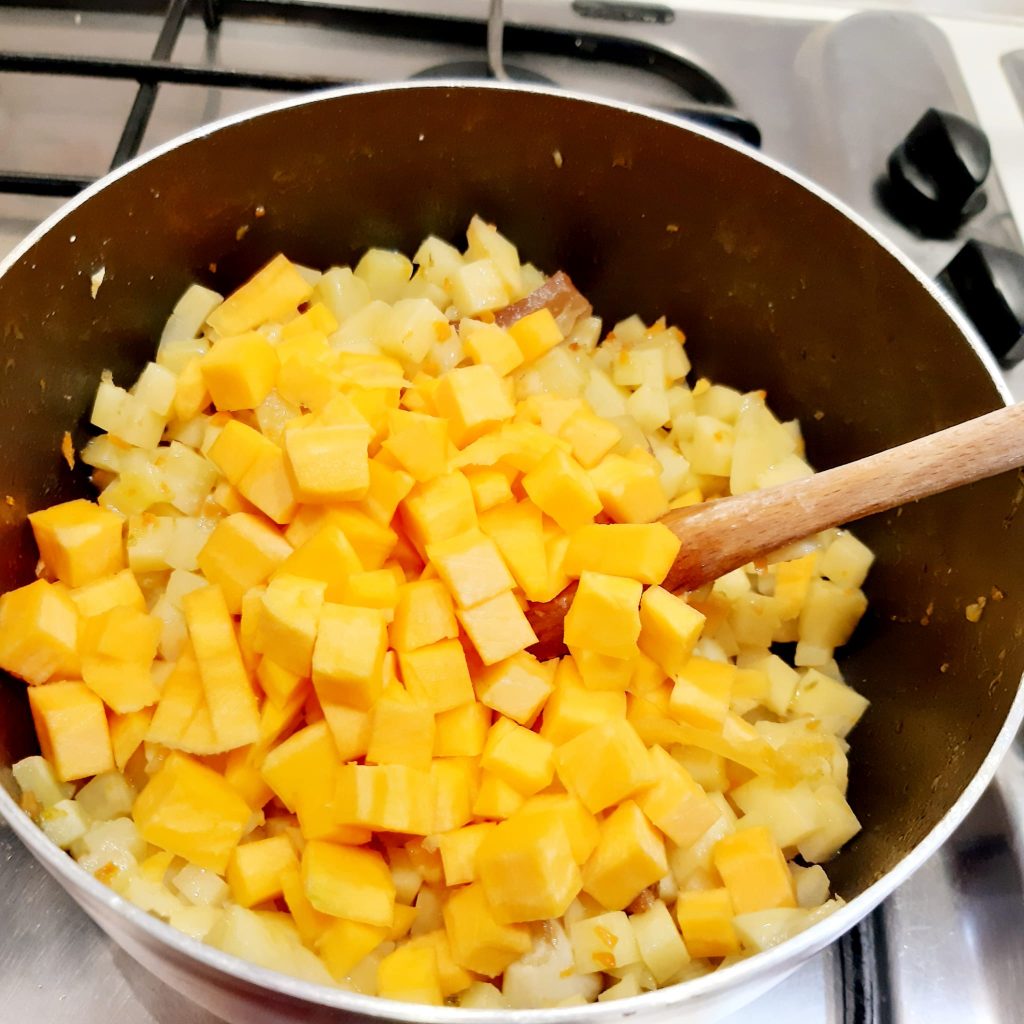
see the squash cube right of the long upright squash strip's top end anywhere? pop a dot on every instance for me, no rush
(286, 628)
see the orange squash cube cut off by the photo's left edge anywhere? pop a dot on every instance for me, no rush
(39, 632)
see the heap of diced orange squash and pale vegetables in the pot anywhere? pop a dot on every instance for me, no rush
(281, 670)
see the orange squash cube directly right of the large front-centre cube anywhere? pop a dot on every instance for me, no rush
(629, 858)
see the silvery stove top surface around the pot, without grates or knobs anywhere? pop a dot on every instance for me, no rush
(833, 89)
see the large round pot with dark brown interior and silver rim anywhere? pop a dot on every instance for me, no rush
(778, 287)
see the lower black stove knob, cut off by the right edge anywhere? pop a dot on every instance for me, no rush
(989, 284)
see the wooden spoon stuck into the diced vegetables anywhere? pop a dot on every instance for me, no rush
(722, 535)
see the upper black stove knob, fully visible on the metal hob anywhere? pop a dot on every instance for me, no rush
(936, 174)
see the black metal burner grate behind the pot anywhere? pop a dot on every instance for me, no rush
(703, 98)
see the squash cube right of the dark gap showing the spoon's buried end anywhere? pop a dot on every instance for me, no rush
(605, 616)
